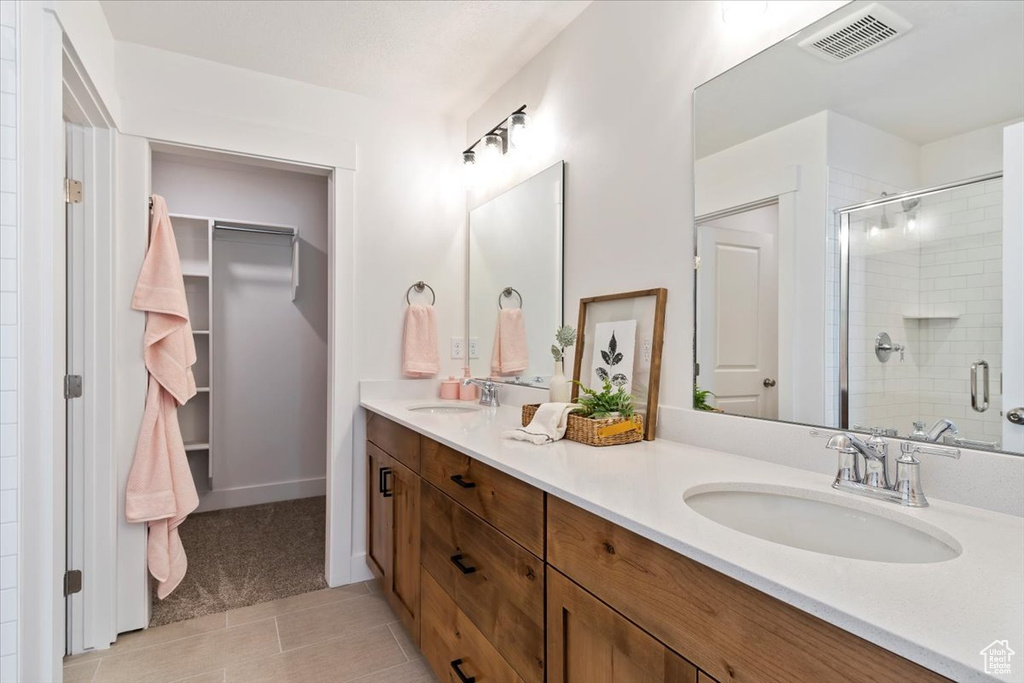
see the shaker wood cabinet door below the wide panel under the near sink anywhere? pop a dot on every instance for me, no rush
(589, 643)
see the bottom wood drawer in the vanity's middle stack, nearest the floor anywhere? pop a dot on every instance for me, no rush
(449, 637)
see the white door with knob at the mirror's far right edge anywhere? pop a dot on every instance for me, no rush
(1013, 288)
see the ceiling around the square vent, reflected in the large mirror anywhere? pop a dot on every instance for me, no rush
(961, 68)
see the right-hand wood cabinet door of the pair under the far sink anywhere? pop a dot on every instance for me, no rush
(403, 576)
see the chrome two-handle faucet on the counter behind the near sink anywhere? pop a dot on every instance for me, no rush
(875, 484)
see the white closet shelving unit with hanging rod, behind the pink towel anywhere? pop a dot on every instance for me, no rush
(195, 237)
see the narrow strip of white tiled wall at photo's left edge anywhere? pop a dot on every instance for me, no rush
(9, 344)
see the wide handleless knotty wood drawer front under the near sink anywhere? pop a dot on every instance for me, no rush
(729, 629)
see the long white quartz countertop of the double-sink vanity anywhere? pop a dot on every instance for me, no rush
(941, 616)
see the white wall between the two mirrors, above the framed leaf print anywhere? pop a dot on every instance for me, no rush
(612, 96)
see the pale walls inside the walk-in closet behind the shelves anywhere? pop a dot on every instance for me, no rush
(270, 354)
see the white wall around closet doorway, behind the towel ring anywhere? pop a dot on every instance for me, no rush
(410, 198)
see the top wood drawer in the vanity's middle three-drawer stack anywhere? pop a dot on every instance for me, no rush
(513, 506)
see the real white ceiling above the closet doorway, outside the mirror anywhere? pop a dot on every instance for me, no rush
(445, 57)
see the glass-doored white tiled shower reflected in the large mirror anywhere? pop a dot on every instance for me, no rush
(921, 314)
